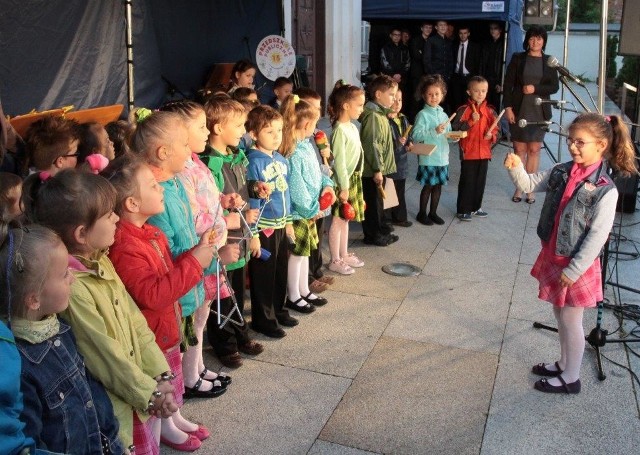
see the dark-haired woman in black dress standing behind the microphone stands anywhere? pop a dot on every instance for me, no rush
(529, 77)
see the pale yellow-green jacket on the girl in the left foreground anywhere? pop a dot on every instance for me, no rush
(118, 347)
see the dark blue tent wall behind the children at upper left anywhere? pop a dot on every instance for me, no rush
(55, 53)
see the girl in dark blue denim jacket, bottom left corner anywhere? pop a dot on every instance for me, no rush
(65, 409)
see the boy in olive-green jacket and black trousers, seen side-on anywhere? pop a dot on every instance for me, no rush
(377, 142)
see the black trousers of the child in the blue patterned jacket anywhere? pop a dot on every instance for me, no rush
(268, 282)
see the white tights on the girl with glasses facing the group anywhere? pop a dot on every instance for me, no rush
(571, 334)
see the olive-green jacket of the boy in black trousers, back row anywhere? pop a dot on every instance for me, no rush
(377, 141)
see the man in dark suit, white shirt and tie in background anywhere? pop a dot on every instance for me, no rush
(468, 57)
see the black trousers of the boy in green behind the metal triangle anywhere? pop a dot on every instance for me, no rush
(225, 341)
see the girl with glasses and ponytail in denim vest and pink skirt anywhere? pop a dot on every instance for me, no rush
(576, 218)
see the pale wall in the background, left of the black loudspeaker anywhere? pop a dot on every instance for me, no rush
(584, 53)
